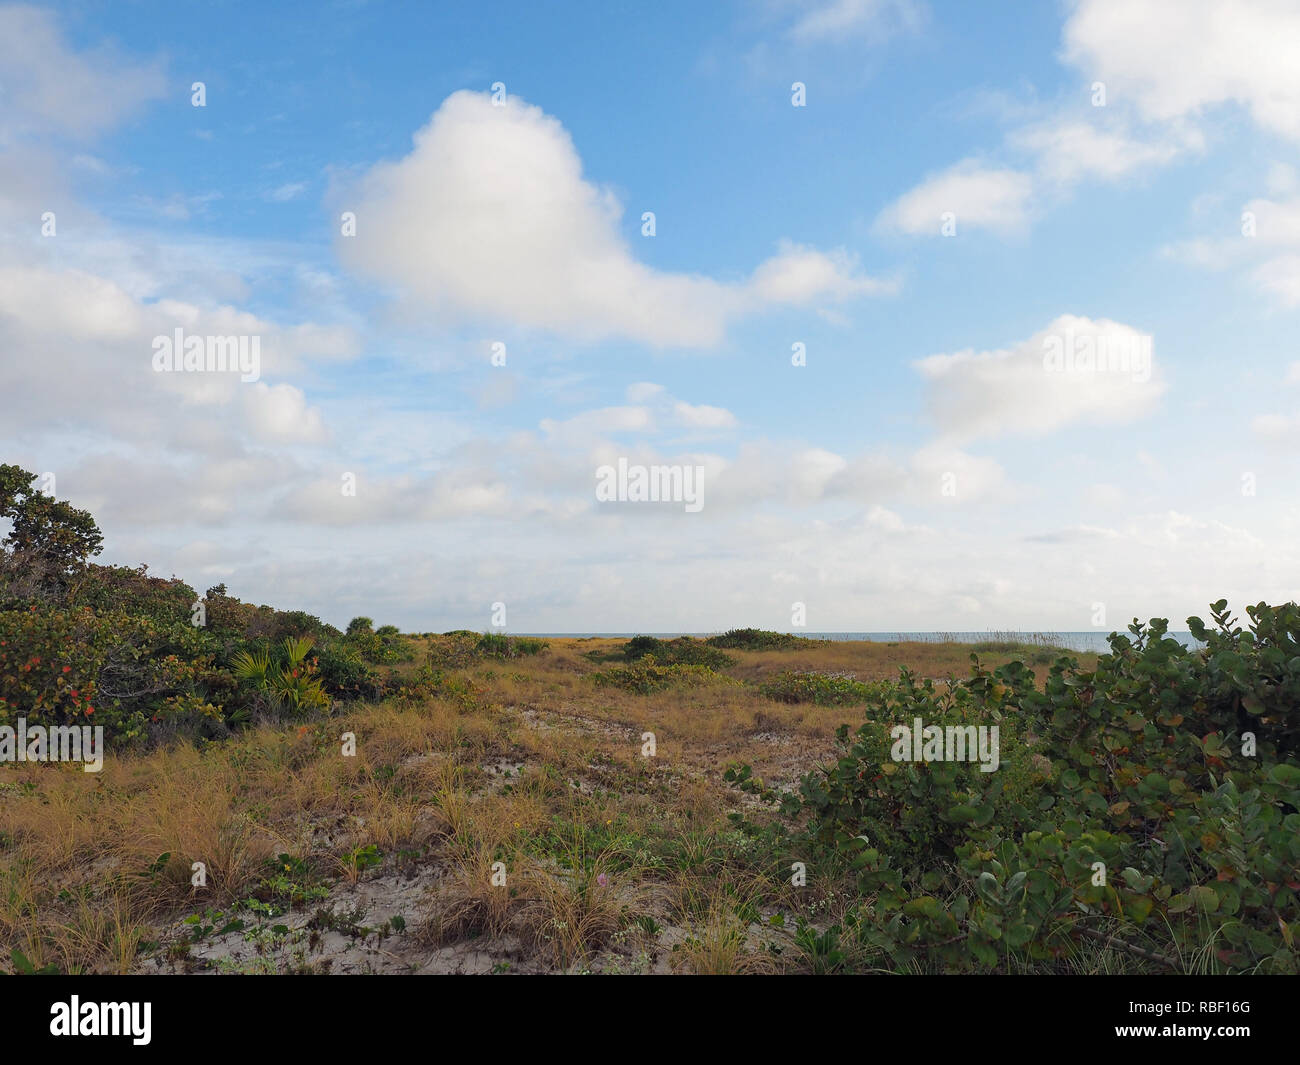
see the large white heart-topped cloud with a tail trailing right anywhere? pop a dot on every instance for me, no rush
(492, 218)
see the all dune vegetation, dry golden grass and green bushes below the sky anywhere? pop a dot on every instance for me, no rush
(279, 795)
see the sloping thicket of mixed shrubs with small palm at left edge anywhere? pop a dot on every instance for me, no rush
(145, 656)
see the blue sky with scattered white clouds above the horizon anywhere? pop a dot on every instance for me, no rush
(959, 317)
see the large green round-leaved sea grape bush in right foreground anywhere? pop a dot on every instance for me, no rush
(1151, 804)
